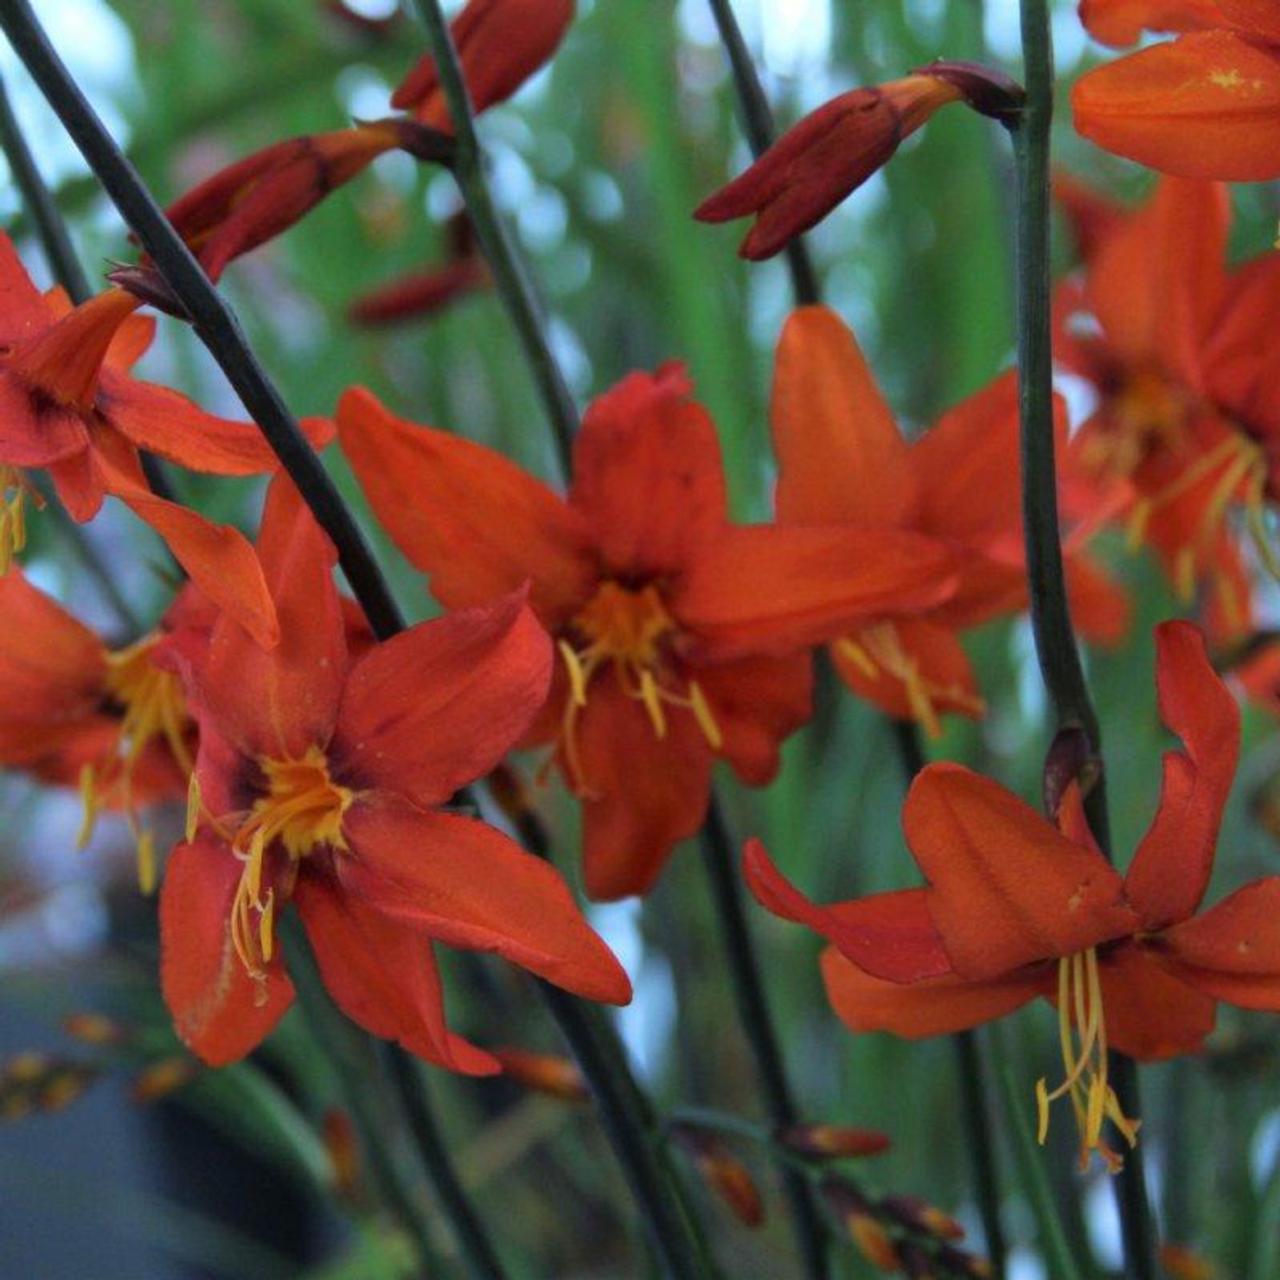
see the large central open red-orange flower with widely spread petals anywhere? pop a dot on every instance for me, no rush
(682, 638)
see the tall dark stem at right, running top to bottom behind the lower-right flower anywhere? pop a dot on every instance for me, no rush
(1052, 620)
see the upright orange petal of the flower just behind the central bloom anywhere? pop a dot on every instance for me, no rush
(842, 456)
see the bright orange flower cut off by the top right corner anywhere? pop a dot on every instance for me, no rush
(1205, 106)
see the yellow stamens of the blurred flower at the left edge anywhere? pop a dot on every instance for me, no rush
(154, 708)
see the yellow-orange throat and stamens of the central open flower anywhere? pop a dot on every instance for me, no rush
(632, 629)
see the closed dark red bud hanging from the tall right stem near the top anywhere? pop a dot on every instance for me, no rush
(833, 152)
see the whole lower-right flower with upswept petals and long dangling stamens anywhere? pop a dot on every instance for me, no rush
(1017, 908)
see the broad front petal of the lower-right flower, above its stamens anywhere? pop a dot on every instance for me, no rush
(1007, 889)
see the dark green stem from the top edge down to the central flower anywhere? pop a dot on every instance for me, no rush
(510, 276)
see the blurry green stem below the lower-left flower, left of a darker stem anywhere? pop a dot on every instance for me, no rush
(350, 1053)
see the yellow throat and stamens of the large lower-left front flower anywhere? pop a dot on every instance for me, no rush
(301, 812)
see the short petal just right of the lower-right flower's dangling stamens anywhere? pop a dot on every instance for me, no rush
(1150, 1014)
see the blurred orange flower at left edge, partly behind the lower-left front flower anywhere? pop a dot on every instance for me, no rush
(75, 712)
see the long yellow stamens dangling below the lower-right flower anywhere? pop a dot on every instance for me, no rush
(1082, 1030)
